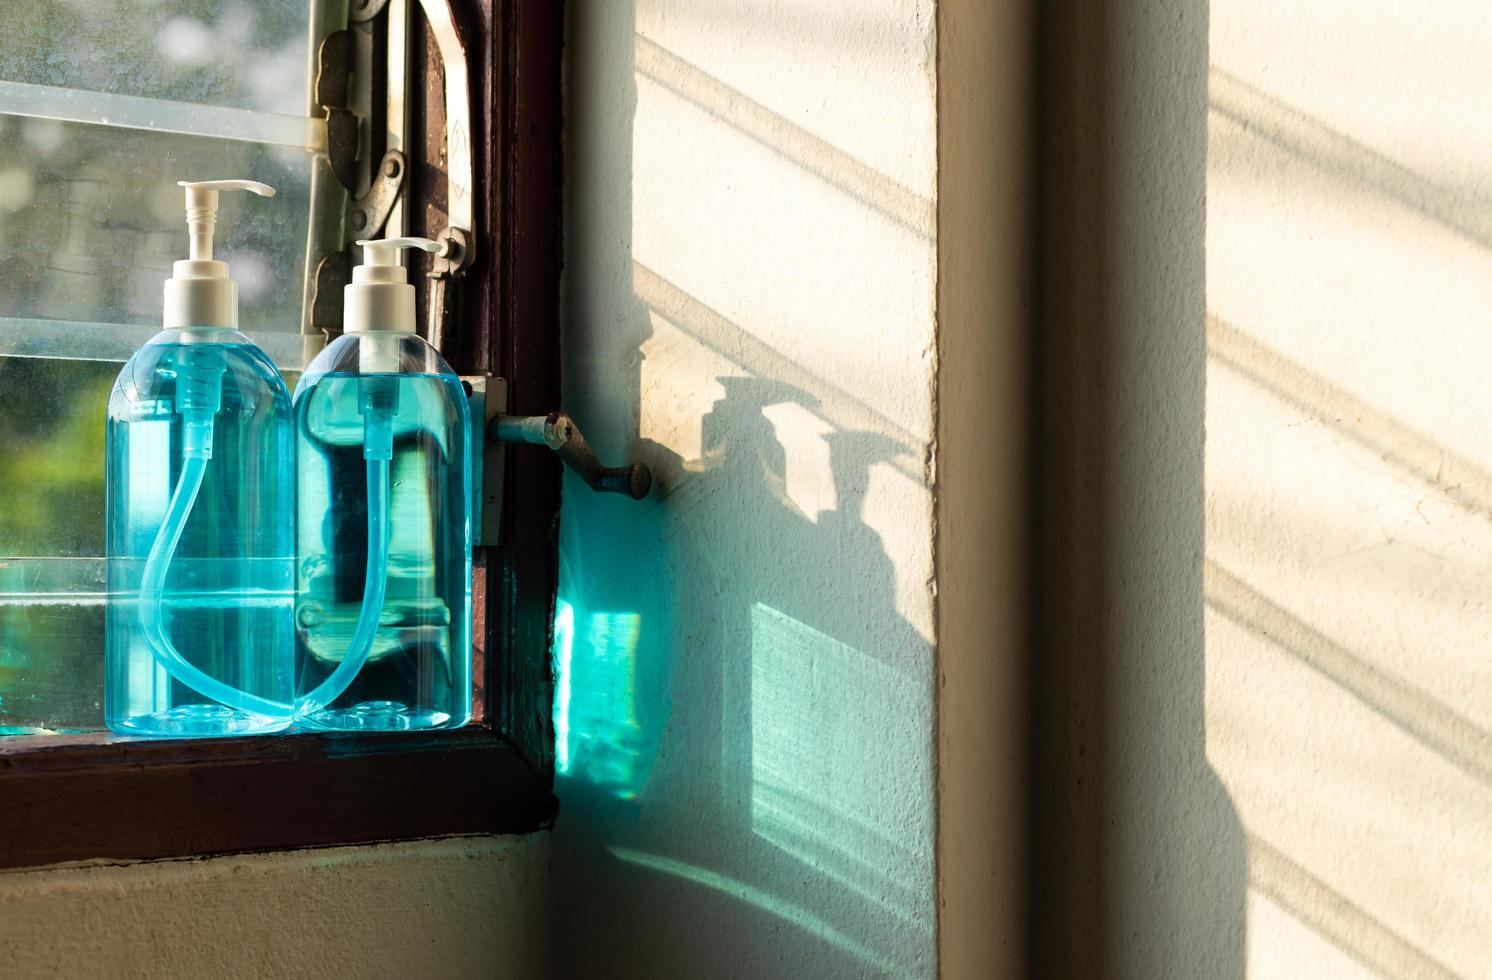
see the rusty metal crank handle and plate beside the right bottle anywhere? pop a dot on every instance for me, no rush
(493, 430)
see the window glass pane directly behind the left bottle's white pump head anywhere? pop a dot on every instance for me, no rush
(92, 222)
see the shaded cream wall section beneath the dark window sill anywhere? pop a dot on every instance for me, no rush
(459, 908)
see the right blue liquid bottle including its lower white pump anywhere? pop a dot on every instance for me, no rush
(384, 518)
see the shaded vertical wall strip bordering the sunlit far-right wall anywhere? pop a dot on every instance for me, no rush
(1141, 864)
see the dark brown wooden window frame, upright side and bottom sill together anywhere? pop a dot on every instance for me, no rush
(83, 797)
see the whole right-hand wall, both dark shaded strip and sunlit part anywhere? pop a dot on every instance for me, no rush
(1264, 696)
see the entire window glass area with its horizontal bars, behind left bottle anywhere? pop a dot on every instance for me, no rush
(90, 224)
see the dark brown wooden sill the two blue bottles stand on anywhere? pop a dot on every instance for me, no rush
(84, 797)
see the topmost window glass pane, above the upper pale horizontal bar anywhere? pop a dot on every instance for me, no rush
(247, 54)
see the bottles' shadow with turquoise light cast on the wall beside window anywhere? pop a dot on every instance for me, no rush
(741, 706)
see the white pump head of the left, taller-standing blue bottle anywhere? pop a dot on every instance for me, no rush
(199, 293)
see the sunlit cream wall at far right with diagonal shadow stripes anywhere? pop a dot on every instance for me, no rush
(1350, 478)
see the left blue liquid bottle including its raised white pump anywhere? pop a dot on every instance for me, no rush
(201, 535)
